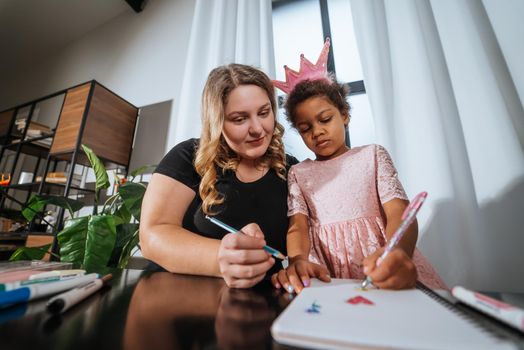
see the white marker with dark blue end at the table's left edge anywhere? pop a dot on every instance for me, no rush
(30, 292)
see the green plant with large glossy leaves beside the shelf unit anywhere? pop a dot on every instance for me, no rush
(96, 240)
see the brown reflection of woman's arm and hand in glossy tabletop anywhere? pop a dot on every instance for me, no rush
(169, 311)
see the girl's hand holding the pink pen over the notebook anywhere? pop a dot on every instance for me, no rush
(396, 271)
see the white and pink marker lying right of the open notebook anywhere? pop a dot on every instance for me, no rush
(506, 313)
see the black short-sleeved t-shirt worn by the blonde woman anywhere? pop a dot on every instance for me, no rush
(263, 202)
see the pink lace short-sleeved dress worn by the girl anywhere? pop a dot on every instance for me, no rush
(343, 198)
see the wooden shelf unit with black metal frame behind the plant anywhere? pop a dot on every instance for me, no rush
(90, 114)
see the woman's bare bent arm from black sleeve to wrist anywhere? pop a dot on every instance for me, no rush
(162, 237)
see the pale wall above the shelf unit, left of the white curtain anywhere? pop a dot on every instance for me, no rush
(138, 56)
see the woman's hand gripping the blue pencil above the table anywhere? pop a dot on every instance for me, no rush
(241, 259)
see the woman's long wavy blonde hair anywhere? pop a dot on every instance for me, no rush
(213, 153)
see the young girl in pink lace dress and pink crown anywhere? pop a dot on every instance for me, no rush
(345, 205)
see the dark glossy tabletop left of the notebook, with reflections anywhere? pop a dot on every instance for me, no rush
(143, 310)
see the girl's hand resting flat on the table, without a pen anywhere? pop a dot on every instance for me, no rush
(298, 275)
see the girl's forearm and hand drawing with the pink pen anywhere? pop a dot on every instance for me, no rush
(397, 271)
